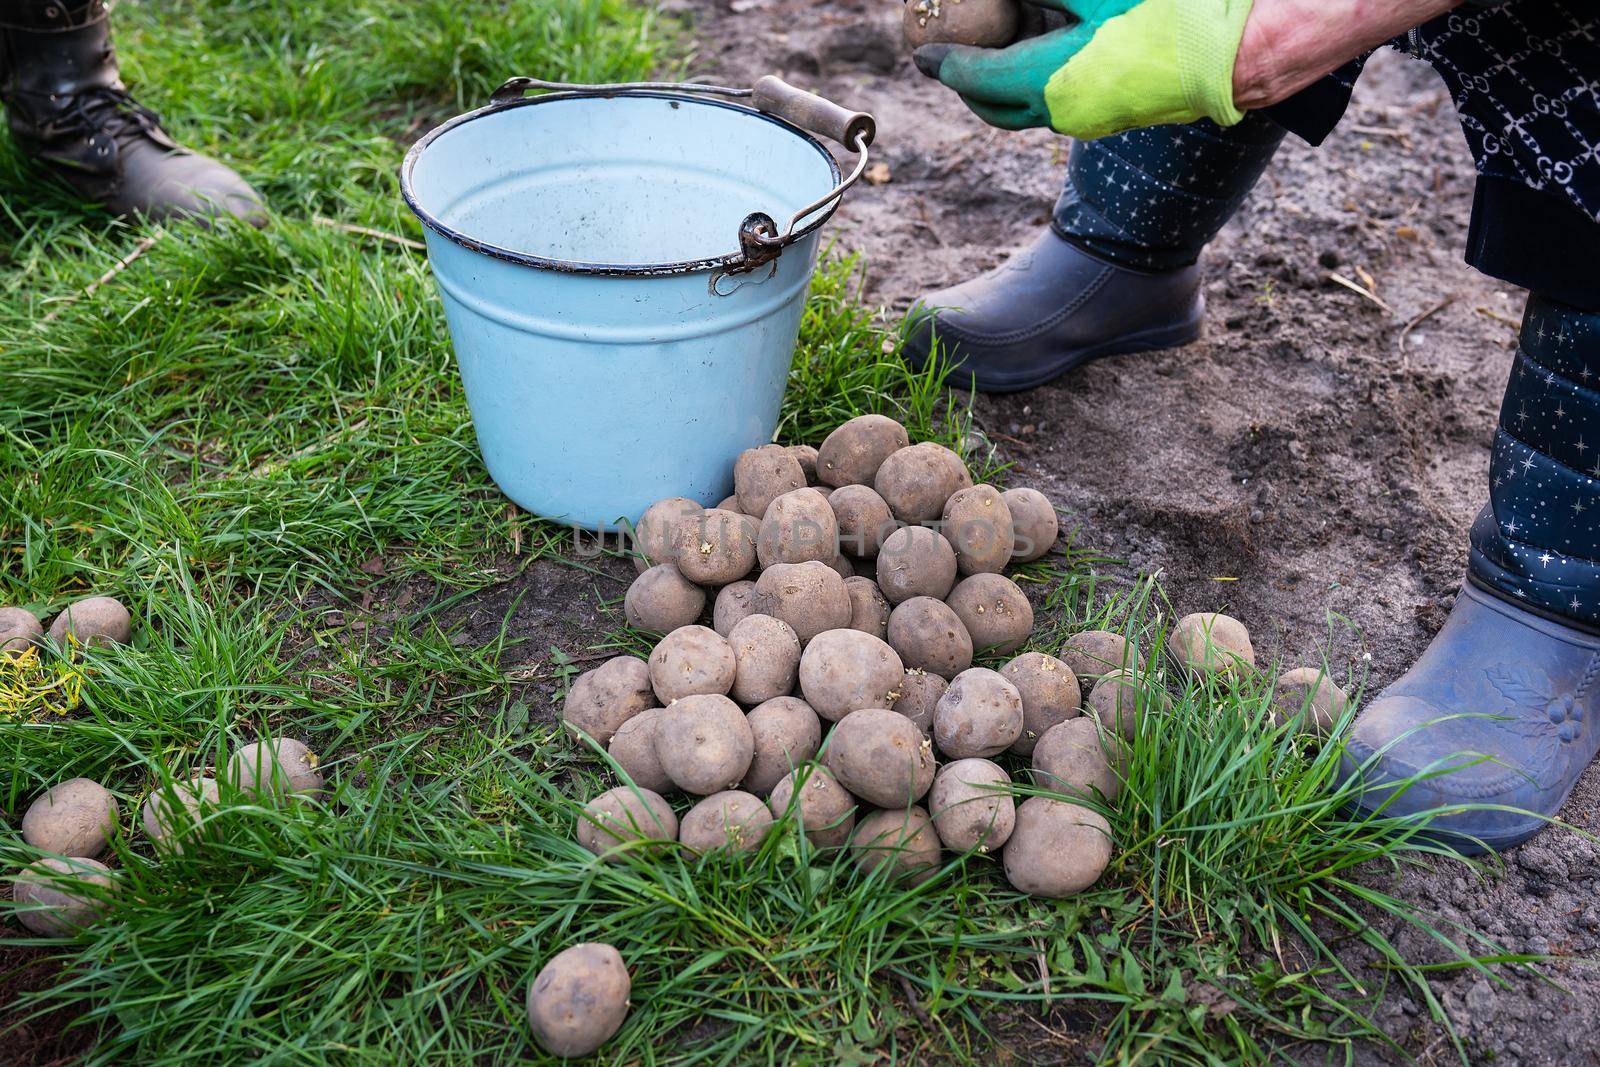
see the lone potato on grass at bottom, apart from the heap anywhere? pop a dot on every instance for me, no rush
(580, 999)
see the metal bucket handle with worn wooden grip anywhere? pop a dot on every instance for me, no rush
(761, 241)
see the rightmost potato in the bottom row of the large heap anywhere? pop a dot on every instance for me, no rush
(1058, 849)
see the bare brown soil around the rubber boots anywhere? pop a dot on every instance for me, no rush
(1310, 466)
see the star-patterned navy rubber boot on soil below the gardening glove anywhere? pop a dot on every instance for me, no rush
(1118, 270)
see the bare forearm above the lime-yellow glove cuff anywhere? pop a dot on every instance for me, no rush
(1290, 44)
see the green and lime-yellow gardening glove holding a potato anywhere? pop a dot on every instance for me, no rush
(1122, 65)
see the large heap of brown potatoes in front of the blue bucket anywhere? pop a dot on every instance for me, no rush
(849, 589)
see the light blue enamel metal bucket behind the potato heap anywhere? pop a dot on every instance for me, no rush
(620, 300)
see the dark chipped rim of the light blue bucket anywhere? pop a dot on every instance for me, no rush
(734, 260)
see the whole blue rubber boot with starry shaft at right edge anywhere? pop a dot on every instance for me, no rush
(1497, 721)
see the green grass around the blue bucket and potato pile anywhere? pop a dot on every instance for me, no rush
(233, 426)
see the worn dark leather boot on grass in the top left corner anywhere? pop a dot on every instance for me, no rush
(70, 110)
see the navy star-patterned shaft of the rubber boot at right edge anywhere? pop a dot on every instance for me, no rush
(1538, 540)
